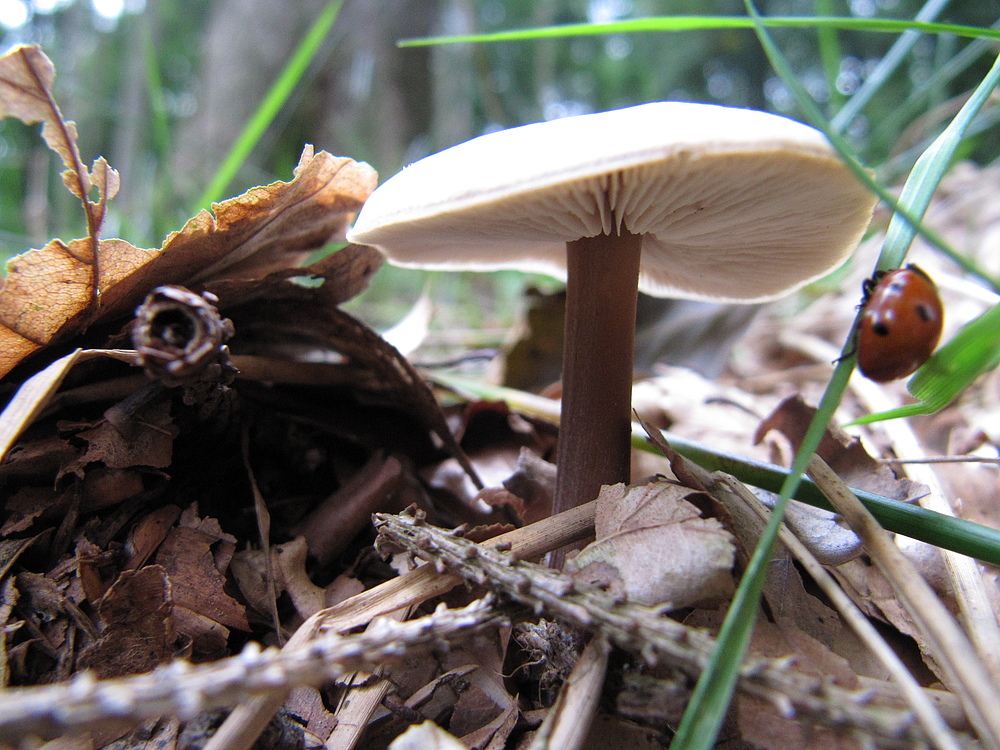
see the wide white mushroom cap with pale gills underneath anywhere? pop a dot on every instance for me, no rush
(733, 204)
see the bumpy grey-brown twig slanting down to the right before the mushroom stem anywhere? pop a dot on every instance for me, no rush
(644, 631)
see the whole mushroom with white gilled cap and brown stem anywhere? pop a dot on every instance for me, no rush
(674, 198)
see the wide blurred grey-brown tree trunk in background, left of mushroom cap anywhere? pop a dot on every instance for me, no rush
(363, 96)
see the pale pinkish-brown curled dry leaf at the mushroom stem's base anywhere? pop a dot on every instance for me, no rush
(654, 545)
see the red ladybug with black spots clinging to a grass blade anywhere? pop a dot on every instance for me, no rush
(901, 319)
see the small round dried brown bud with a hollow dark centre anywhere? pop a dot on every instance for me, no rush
(181, 337)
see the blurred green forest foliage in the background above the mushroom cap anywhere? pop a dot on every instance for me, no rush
(136, 83)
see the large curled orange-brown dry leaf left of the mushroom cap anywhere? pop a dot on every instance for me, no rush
(49, 291)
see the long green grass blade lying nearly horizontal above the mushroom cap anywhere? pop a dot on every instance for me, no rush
(703, 23)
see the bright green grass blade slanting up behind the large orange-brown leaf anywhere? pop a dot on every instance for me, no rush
(271, 105)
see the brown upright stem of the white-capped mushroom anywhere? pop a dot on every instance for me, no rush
(595, 429)
